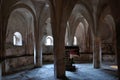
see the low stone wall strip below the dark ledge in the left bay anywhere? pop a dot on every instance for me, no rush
(17, 64)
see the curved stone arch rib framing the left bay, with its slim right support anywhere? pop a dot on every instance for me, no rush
(30, 7)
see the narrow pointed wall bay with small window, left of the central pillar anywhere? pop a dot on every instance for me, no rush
(47, 49)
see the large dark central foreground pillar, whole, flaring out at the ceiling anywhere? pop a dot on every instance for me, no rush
(60, 12)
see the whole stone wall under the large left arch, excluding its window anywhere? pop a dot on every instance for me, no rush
(19, 57)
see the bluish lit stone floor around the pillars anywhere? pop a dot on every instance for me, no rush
(83, 72)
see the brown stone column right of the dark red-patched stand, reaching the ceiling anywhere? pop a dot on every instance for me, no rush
(96, 40)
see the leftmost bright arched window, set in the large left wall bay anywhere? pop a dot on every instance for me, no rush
(17, 39)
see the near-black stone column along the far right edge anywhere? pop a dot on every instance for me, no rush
(115, 7)
